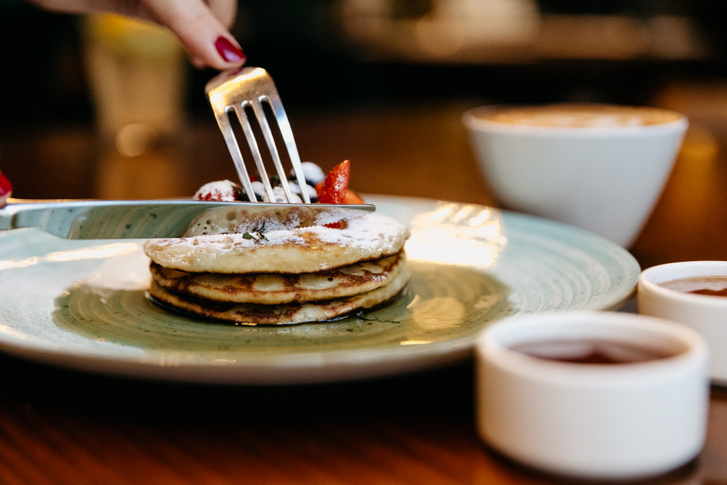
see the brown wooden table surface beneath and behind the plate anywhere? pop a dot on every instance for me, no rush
(61, 426)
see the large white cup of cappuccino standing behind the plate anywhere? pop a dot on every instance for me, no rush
(605, 176)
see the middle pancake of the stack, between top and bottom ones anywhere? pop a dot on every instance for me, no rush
(279, 288)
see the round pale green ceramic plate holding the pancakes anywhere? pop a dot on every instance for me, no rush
(82, 304)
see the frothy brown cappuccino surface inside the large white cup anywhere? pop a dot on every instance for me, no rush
(579, 116)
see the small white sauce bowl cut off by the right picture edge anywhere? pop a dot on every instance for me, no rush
(705, 314)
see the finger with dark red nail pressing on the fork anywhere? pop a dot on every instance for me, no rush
(207, 40)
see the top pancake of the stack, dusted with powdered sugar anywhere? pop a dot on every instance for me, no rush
(300, 250)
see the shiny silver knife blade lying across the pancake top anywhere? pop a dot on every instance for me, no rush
(122, 219)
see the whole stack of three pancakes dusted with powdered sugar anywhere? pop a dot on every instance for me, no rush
(281, 277)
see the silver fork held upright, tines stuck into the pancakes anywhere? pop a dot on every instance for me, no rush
(245, 92)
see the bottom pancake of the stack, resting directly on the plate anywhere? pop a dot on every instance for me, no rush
(284, 314)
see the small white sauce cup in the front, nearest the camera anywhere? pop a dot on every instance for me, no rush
(616, 421)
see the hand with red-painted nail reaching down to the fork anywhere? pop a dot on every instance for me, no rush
(201, 25)
